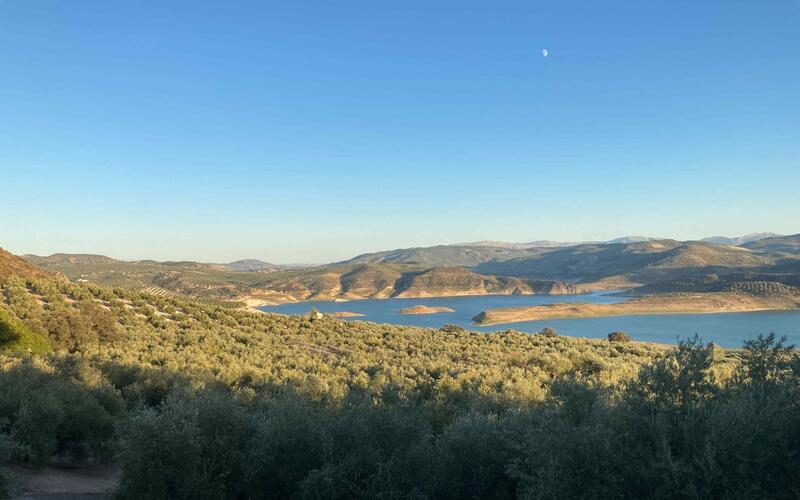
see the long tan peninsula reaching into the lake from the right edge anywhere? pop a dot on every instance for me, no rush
(671, 303)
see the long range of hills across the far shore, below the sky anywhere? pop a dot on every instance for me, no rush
(473, 269)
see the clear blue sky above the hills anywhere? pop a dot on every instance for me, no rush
(310, 131)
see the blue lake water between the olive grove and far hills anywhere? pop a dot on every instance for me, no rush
(728, 329)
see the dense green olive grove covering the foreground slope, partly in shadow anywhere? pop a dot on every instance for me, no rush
(200, 401)
